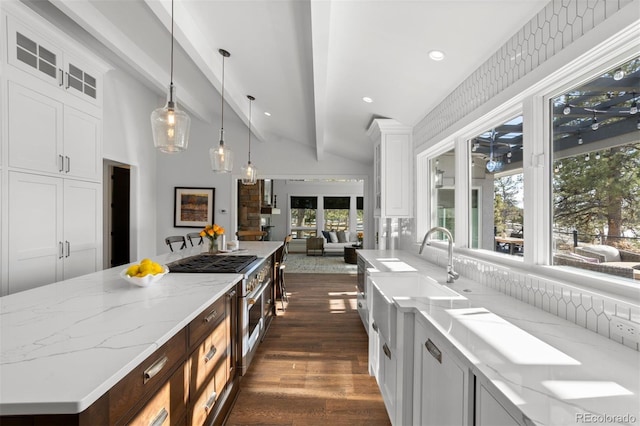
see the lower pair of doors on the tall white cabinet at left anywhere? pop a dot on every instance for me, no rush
(54, 232)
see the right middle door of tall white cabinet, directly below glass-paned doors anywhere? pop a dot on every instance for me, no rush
(81, 144)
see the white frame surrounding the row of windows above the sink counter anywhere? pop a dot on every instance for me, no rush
(534, 105)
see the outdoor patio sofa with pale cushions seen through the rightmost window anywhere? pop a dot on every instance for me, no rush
(602, 258)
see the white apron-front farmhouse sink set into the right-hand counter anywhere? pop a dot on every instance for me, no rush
(422, 289)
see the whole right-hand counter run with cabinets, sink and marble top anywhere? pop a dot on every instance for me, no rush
(505, 361)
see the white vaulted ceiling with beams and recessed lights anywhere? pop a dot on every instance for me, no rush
(309, 63)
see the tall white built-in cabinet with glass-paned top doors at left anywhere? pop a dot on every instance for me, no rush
(52, 152)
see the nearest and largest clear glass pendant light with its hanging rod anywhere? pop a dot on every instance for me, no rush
(169, 125)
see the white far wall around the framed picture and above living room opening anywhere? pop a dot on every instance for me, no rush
(274, 159)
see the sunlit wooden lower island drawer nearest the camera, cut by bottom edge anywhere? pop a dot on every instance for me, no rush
(168, 405)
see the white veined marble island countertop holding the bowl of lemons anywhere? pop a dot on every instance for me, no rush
(64, 345)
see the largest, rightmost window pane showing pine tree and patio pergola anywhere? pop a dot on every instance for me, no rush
(596, 173)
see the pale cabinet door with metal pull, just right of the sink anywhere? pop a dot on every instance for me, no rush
(441, 381)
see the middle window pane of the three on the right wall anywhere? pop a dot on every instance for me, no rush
(497, 189)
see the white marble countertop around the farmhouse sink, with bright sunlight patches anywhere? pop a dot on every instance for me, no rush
(549, 369)
